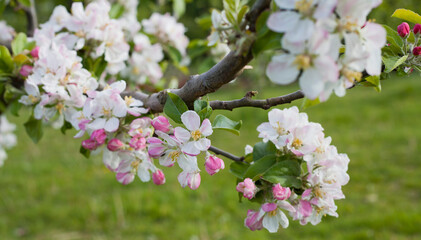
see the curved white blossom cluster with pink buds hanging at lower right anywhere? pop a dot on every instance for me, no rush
(323, 177)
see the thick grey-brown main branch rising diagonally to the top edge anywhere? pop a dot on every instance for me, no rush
(220, 74)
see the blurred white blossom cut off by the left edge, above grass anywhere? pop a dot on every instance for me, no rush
(7, 138)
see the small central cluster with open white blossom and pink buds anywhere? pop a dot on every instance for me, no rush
(182, 145)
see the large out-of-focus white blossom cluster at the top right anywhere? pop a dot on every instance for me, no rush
(313, 35)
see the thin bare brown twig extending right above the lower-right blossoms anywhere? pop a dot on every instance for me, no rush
(247, 101)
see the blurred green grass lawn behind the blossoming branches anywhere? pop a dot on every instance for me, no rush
(50, 191)
